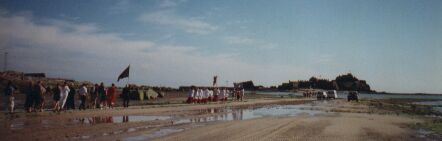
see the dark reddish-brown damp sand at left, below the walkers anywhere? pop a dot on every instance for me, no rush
(114, 123)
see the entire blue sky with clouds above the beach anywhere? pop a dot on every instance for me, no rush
(395, 45)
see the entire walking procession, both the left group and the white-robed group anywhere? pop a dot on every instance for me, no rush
(64, 96)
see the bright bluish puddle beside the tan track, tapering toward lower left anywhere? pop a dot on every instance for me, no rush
(228, 114)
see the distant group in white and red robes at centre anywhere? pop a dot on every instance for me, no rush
(205, 95)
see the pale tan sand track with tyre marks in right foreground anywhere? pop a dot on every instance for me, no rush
(336, 128)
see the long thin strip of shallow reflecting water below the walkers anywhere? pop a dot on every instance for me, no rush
(197, 116)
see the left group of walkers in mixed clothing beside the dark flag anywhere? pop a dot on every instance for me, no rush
(64, 95)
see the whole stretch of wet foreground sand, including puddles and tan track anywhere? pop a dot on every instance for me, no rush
(256, 119)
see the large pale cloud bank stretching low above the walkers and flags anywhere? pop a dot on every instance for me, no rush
(79, 51)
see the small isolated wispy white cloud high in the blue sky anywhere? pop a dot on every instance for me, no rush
(168, 18)
